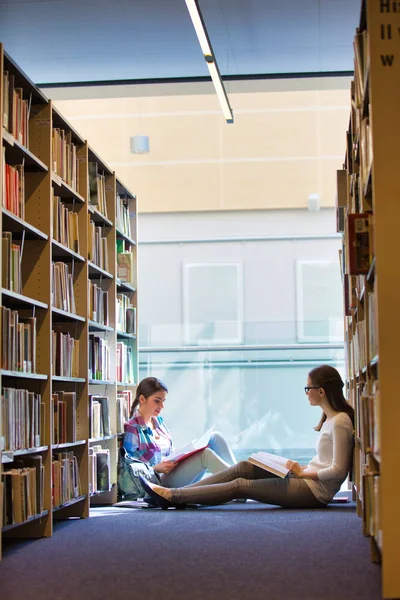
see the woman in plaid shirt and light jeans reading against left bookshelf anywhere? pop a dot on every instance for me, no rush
(147, 446)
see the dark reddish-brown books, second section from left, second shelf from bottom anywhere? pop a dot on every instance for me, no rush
(64, 417)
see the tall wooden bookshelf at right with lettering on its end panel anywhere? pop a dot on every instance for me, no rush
(367, 215)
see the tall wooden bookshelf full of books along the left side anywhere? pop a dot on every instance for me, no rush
(61, 286)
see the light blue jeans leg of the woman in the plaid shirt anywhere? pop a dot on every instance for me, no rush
(193, 468)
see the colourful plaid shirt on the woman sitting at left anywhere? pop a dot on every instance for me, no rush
(139, 440)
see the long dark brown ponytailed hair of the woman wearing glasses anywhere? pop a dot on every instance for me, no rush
(330, 380)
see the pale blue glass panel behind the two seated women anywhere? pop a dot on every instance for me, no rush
(253, 394)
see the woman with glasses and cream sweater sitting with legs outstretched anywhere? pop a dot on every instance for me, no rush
(309, 486)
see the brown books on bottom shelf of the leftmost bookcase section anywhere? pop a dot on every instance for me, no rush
(23, 487)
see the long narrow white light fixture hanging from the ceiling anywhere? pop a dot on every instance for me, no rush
(206, 48)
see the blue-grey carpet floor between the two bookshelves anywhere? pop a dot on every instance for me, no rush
(236, 551)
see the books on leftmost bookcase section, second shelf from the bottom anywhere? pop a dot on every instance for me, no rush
(22, 419)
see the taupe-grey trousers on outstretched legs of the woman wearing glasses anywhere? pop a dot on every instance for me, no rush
(245, 480)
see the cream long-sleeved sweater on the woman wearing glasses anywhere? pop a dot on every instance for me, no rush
(333, 459)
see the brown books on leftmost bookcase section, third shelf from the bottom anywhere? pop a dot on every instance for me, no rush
(18, 341)
